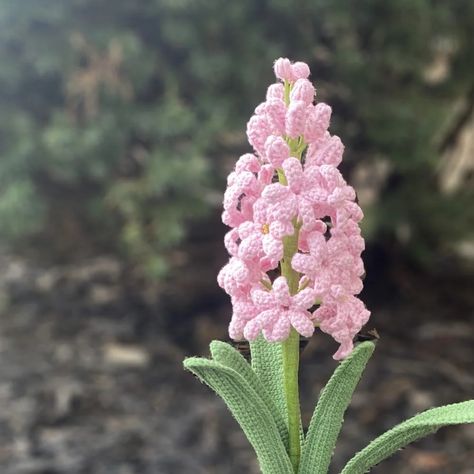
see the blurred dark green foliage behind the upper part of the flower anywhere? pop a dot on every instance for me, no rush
(115, 116)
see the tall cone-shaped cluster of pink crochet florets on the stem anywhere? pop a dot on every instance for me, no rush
(290, 208)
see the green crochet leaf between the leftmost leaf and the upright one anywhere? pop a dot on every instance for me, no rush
(226, 355)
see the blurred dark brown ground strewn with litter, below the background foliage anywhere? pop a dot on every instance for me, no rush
(91, 379)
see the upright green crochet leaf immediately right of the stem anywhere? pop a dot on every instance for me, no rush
(328, 415)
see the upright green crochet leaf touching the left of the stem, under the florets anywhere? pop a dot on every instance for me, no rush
(267, 363)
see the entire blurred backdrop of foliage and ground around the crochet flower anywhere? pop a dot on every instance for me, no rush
(119, 122)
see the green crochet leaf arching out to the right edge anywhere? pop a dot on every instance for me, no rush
(405, 433)
